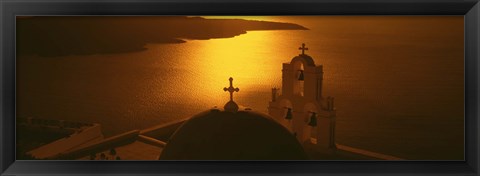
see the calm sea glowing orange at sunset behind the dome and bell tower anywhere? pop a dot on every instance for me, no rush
(398, 81)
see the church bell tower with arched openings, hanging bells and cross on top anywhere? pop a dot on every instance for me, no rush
(301, 107)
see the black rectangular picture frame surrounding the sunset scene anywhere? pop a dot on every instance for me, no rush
(10, 8)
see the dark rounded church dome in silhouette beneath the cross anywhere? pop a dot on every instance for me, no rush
(223, 135)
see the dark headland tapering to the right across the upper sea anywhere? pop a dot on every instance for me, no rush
(83, 35)
